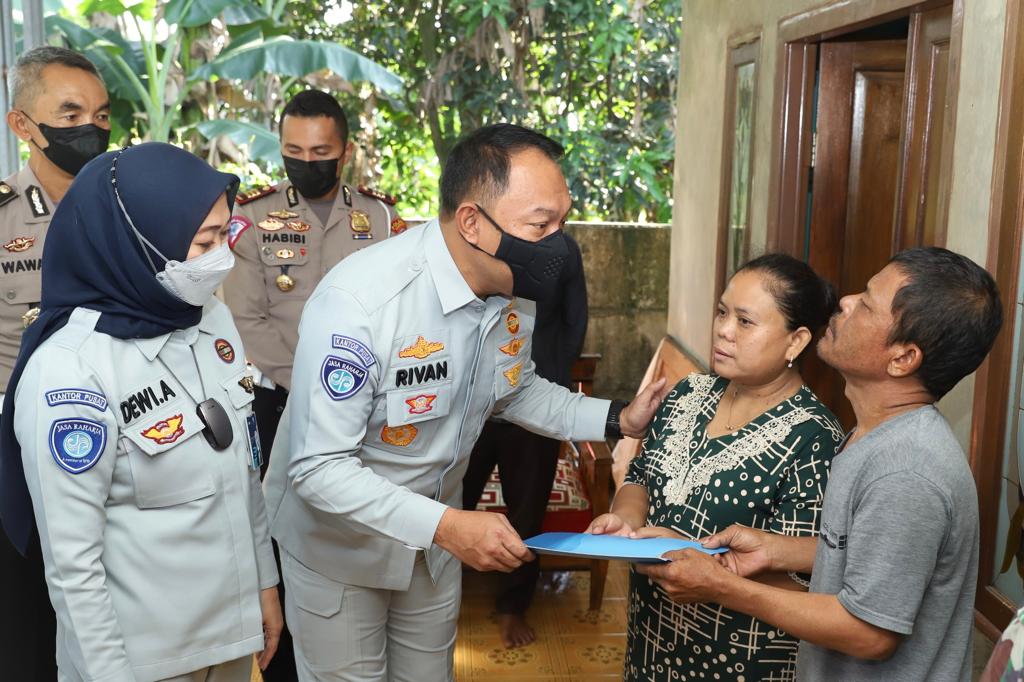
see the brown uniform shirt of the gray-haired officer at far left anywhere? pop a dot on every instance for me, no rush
(25, 216)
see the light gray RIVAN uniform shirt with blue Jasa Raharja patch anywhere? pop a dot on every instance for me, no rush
(395, 377)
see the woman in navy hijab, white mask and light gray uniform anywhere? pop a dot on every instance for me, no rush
(135, 433)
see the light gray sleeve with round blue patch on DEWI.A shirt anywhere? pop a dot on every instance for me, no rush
(69, 452)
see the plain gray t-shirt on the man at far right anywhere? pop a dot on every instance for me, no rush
(900, 547)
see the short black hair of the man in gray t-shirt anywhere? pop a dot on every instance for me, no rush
(951, 309)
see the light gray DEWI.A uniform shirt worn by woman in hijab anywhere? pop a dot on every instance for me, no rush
(156, 544)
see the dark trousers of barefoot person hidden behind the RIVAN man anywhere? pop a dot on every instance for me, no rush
(527, 464)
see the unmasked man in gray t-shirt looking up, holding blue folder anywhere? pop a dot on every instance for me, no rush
(894, 570)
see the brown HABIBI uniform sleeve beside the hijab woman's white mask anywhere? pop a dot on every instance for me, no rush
(245, 293)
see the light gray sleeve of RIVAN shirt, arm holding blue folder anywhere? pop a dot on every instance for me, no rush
(330, 409)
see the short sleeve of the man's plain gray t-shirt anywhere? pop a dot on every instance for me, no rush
(900, 526)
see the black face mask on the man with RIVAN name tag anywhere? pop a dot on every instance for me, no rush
(537, 267)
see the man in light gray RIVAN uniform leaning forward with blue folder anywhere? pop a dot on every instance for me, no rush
(405, 351)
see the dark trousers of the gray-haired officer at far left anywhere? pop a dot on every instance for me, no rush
(28, 624)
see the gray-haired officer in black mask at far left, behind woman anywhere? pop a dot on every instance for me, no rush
(62, 112)
